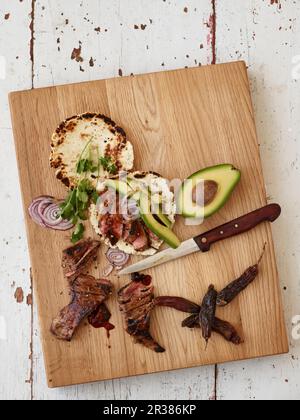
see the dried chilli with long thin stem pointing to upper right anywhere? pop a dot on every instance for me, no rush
(231, 291)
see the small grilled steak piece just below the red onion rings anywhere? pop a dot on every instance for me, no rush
(76, 258)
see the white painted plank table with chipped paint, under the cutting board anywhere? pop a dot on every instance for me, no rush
(120, 37)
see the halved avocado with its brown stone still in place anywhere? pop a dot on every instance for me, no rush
(218, 182)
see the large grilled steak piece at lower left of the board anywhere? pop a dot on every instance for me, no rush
(87, 295)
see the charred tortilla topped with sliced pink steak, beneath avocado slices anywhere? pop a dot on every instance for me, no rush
(129, 237)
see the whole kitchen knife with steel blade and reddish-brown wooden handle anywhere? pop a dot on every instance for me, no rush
(204, 241)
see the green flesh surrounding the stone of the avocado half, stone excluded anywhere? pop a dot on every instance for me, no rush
(226, 176)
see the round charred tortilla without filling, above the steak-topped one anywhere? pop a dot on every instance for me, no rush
(97, 133)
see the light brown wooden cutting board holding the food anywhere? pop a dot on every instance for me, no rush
(178, 122)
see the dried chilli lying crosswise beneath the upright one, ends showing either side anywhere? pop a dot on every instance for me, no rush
(219, 326)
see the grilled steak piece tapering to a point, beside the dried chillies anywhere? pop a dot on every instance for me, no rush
(136, 302)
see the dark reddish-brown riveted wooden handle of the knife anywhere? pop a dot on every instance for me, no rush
(238, 226)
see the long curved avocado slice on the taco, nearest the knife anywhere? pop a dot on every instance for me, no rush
(157, 228)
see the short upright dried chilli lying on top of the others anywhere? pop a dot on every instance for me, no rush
(208, 312)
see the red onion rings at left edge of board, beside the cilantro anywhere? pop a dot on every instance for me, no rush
(45, 212)
